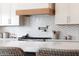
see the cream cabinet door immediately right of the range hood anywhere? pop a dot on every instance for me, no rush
(61, 13)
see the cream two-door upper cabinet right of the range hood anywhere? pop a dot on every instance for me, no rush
(67, 13)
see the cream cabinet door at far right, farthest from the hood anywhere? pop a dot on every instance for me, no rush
(74, 13)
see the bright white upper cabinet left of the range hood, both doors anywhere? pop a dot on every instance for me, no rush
(8, 15)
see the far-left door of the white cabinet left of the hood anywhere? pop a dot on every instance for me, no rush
(5, 9)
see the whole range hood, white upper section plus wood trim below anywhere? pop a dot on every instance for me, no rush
(35, 8)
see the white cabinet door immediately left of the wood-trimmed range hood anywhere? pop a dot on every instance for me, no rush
(14, 17)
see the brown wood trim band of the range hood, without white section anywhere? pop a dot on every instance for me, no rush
(50, 11)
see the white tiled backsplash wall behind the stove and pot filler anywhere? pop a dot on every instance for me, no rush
(32, 23)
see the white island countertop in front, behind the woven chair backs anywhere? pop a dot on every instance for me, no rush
(31, 46)
